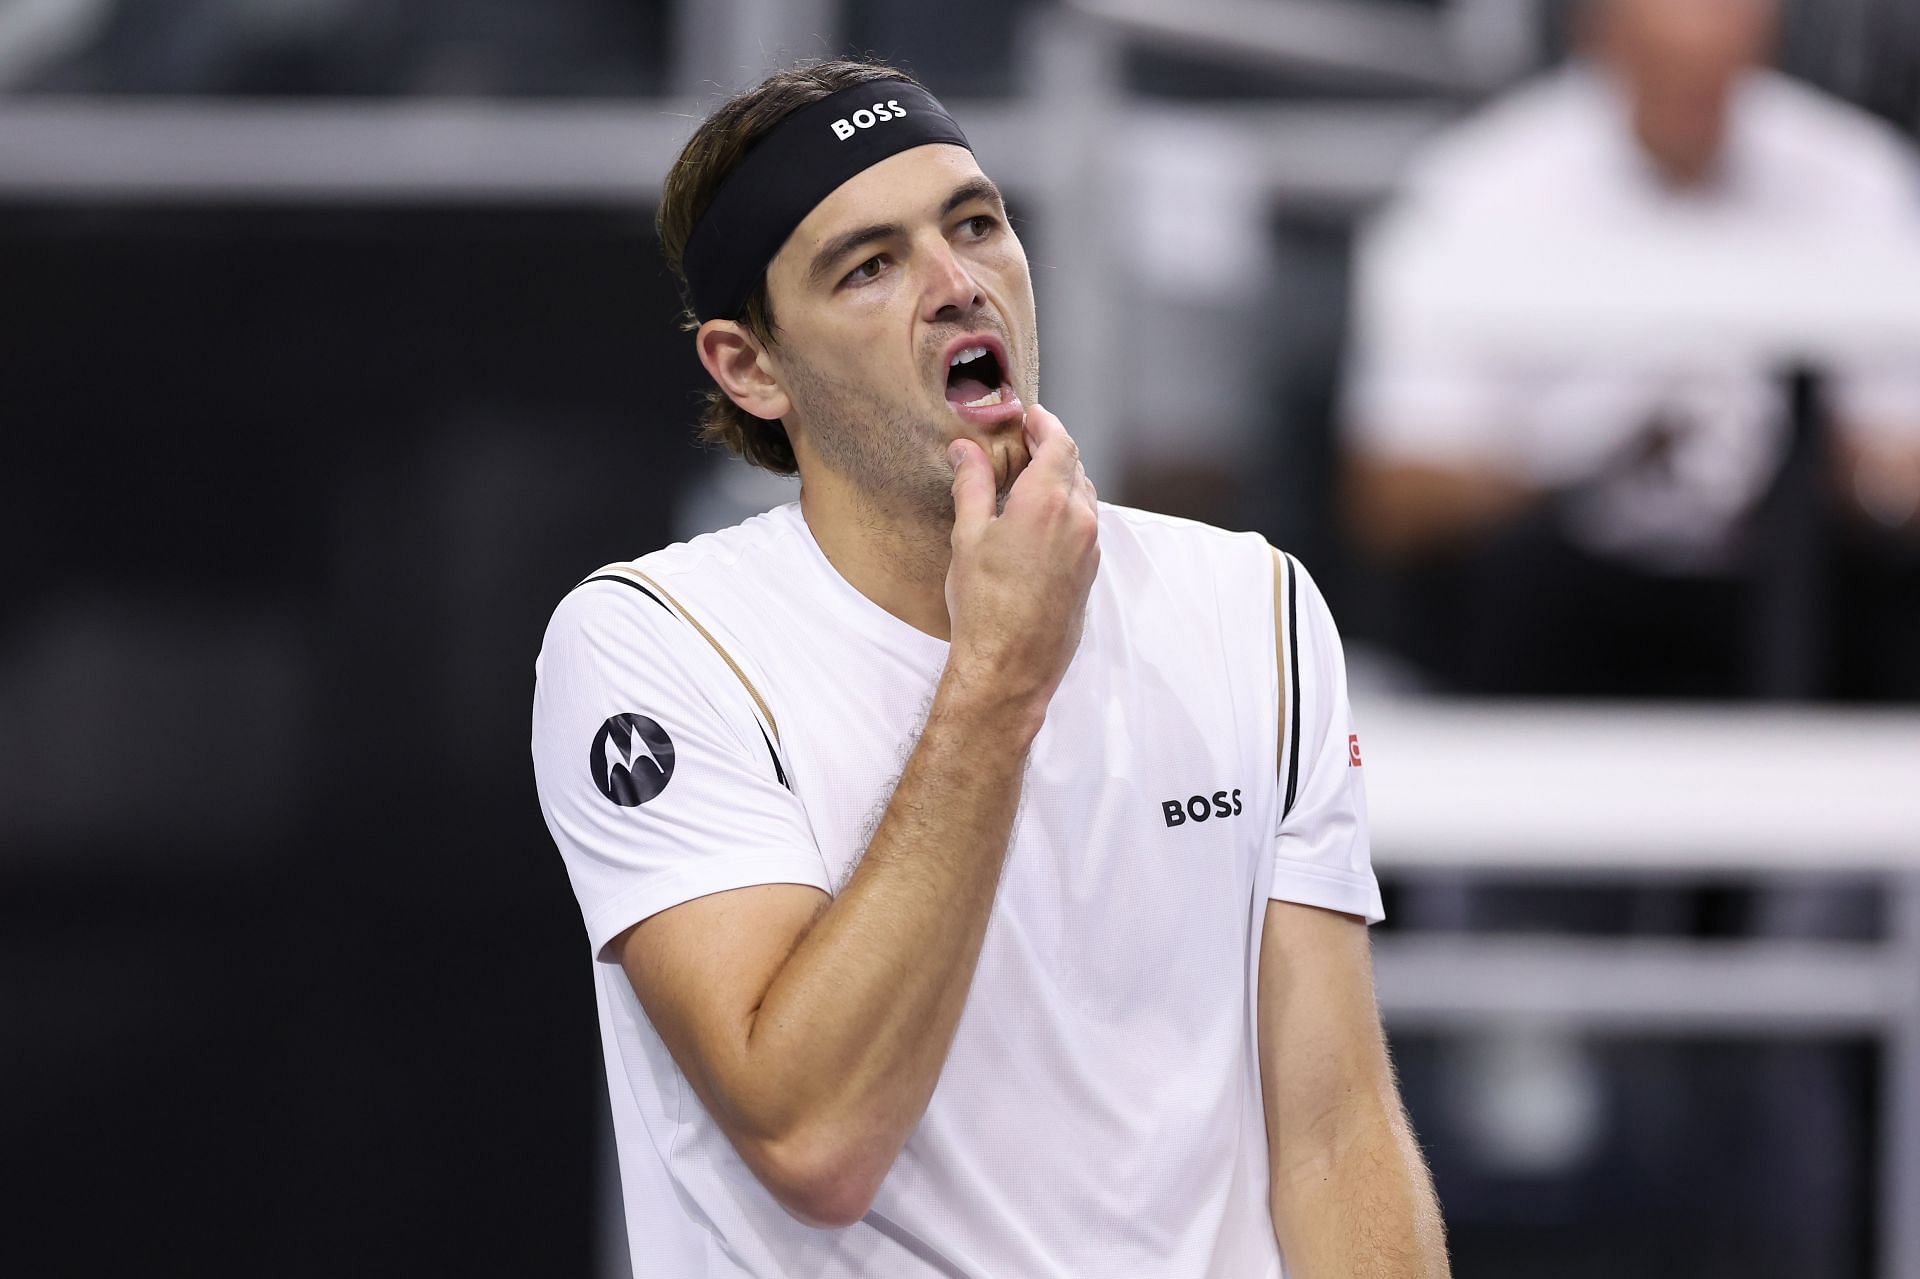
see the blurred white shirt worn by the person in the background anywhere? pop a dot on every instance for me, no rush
(1547, 201)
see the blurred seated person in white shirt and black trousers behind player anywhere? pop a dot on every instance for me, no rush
(1585, 527)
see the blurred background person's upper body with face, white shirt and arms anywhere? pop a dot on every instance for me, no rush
(1595, 199)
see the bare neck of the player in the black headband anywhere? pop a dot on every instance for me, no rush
(892, 556)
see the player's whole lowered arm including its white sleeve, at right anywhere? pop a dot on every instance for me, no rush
(1349, 1190)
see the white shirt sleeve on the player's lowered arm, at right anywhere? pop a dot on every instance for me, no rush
(1322, 854)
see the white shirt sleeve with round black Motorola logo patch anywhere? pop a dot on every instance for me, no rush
(656, 777)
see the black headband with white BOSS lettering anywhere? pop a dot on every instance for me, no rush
(790, 172)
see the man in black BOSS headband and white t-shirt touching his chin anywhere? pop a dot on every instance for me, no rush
(978, 875)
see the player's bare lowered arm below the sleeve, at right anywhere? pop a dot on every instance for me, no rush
(1351, 1194)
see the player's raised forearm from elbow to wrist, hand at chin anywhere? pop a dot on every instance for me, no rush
(855, 1026)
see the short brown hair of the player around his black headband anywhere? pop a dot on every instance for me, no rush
(709, 157)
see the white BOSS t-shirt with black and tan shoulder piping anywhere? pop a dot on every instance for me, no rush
(1099, 1113)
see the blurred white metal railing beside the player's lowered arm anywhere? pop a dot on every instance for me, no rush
(1666, 794)
